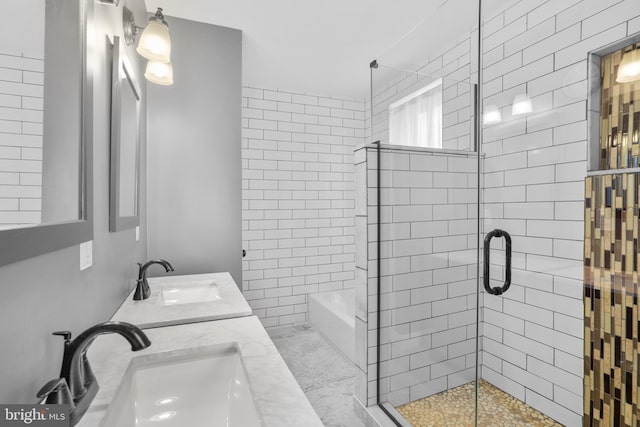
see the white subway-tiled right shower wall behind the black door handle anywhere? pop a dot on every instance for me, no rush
(533, 177)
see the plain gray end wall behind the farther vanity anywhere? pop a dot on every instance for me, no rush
(194, 153)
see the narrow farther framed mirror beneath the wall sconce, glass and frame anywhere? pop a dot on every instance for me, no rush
(125, 143)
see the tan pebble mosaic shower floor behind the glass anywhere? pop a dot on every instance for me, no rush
(455, 408)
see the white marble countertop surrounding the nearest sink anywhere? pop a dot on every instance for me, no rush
(278, 396)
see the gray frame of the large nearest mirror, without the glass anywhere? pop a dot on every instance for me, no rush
(27, 242)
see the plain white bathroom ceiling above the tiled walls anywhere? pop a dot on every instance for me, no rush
(325, 47)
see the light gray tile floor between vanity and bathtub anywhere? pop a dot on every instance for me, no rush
(324, 374)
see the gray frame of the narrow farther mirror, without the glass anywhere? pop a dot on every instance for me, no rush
(121, 67)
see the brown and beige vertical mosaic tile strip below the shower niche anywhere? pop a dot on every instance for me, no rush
(611, 349)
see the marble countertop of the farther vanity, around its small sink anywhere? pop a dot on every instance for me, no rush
(151, 313)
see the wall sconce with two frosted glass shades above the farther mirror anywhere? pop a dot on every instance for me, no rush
(154, 45)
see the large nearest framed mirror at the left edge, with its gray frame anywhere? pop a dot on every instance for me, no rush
(46, 131)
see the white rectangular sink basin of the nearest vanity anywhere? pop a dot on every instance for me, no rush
(204, 386)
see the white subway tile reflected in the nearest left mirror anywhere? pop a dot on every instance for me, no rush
(21, 100)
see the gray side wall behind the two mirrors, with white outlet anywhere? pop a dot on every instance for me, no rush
(49, 292)
